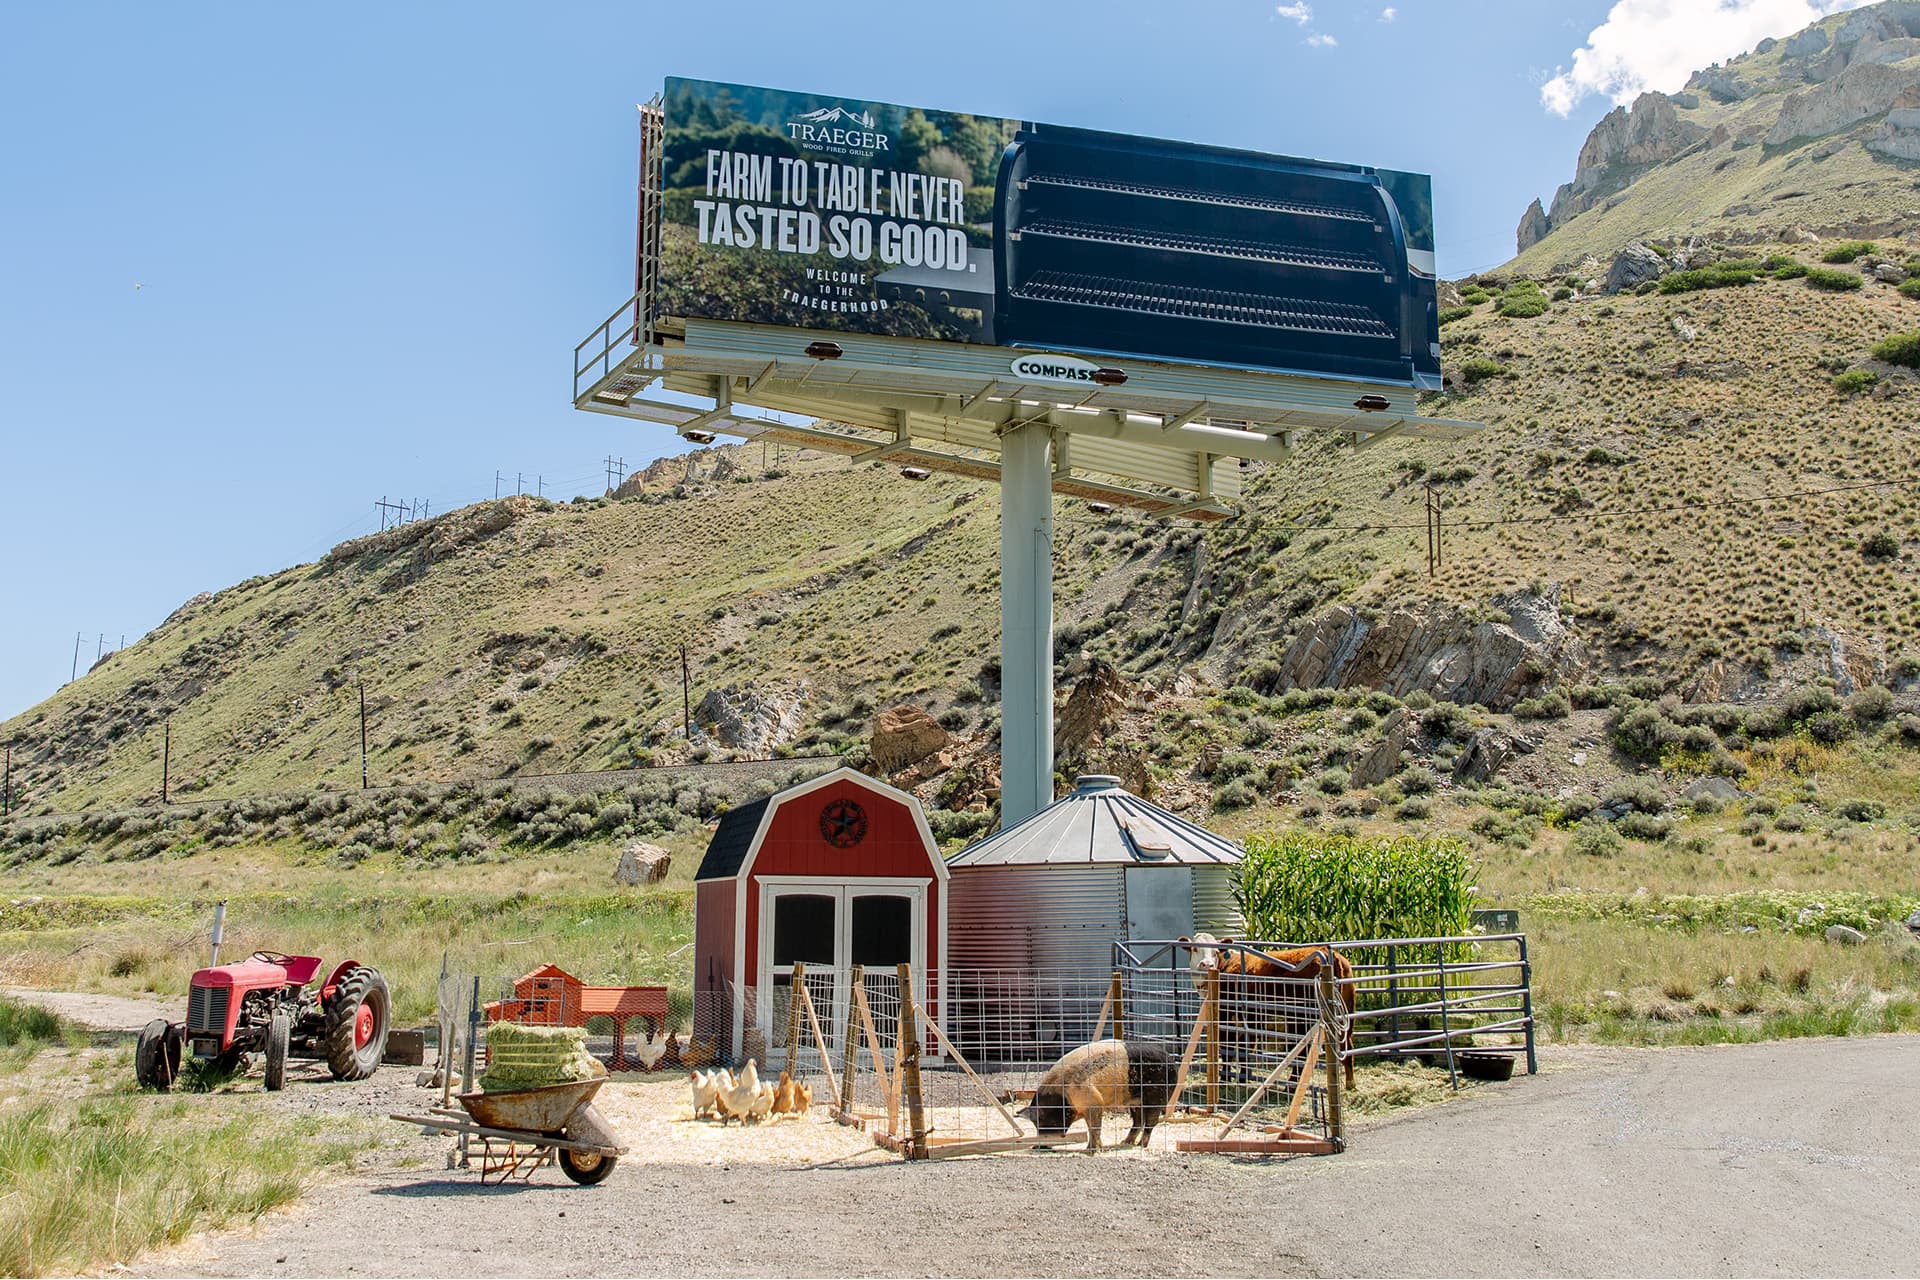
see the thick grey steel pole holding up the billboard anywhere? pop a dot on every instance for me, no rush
(1026, 623)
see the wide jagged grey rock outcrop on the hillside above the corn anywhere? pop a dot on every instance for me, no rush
(1443, 652)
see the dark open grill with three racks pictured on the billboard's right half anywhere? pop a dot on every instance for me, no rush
(1115, 245)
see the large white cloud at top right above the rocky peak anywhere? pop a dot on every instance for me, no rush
(1658, 43)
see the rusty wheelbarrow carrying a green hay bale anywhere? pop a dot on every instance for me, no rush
(523, 1129)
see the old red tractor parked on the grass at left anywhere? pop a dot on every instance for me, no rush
(266, 1005)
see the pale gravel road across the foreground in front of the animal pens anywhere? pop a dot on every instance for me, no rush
(1794, 1158)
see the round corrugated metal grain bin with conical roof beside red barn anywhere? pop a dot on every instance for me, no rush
(1034, 911)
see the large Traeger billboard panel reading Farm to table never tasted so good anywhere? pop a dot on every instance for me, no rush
(871, 218)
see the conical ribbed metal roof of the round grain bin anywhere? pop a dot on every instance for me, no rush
(1099, 822)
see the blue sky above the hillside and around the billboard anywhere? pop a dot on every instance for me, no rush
(366, 239)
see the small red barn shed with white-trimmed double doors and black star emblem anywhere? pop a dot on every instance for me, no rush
(834, 872)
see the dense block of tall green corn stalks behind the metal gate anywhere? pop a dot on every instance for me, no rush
(1307, 888)
